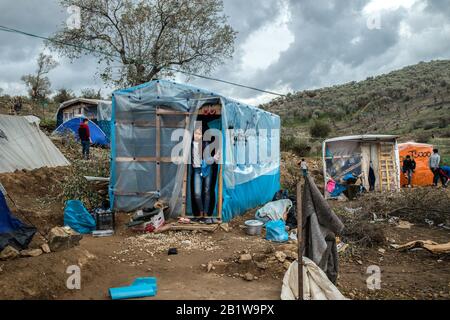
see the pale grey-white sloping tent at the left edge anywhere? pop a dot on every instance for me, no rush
(24, 146)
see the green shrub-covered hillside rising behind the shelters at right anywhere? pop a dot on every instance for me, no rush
(413, 102)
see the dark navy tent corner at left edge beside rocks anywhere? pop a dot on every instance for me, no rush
(12, 231)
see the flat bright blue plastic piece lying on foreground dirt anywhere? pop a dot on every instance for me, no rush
(140, 288)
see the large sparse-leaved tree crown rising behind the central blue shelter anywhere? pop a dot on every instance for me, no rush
(137, 40)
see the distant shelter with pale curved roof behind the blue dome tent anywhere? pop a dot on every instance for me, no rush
(89, 108)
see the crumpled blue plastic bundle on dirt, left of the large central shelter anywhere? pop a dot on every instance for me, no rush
(78, 218)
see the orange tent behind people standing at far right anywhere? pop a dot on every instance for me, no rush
(421, 153)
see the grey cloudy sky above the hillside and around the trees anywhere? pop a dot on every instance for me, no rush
(282, 46)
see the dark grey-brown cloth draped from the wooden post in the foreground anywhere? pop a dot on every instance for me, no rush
(320, 228)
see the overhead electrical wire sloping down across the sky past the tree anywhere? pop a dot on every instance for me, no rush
(191, 74)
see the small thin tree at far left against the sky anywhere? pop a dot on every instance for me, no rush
(39, 84)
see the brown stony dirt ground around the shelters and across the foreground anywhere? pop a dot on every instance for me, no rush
(118, 260)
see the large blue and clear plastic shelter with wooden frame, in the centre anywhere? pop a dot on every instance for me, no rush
(146, 130)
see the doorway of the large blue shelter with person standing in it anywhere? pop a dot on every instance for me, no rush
(204, 179)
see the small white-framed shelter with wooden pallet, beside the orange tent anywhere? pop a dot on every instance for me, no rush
(354, 155)
